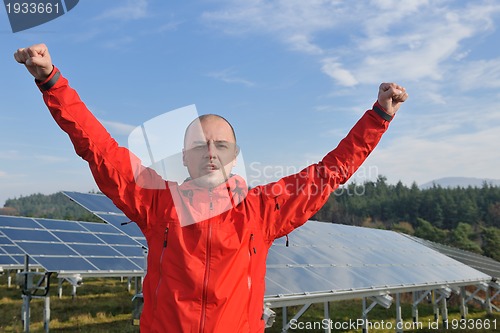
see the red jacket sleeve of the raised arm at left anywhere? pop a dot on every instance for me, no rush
(118, 173)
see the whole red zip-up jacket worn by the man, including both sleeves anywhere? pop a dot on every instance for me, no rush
(208, 276)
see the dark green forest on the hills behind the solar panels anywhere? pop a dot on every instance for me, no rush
(463, 217)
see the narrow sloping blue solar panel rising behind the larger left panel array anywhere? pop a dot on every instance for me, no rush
(103, 207)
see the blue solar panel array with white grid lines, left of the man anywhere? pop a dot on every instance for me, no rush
(70, 247)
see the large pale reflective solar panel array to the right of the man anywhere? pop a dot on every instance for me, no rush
(333, 258)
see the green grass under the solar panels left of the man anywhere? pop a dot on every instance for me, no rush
(101, 305)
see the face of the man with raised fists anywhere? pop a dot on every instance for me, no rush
(210, 151)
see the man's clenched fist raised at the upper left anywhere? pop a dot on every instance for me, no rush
(37, 60)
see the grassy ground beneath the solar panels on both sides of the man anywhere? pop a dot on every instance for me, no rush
(104, 305)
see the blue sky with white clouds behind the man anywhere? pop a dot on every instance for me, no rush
(292, 76)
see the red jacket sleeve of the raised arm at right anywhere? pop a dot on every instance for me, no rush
(291, 201)
